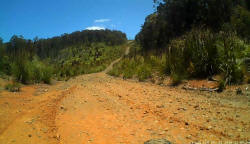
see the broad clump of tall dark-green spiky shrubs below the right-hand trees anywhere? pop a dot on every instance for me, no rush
(194, 53)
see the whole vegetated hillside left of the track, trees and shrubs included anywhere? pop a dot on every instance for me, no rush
(40, 60)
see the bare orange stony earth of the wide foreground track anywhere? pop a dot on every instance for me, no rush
(100, 109)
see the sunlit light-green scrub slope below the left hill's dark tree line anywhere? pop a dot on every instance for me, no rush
(84, 59)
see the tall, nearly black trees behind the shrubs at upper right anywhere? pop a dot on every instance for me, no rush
(174, 18)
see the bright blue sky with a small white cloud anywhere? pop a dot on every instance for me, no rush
(48, 18)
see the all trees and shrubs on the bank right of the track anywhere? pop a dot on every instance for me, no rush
(187, 39)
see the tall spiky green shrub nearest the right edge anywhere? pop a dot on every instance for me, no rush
(231, 57)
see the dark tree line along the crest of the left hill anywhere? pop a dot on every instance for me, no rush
(49, 48)
